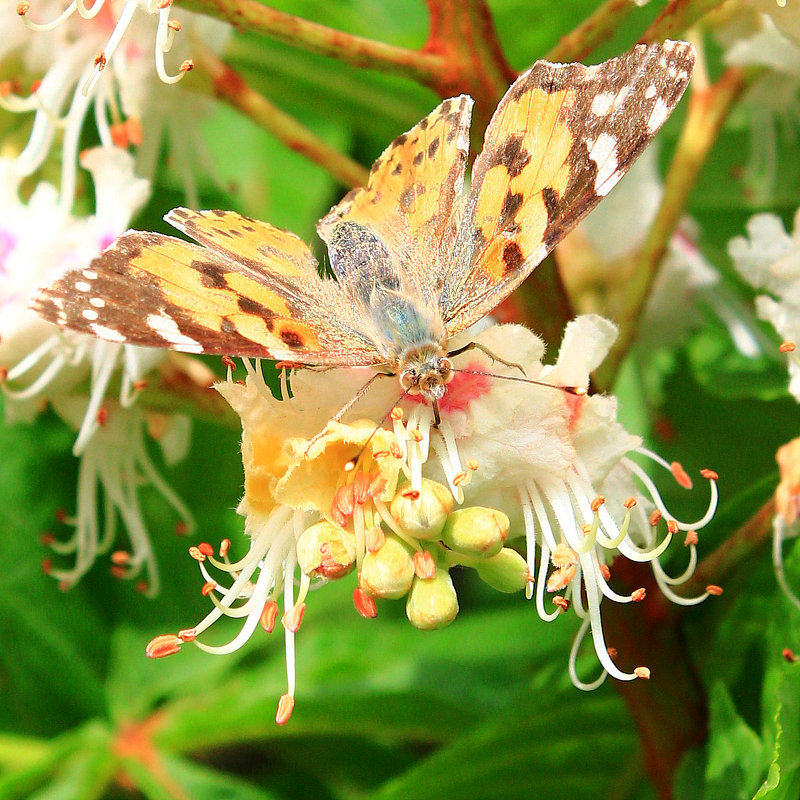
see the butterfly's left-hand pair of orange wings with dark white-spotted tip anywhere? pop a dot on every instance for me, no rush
(159, 291)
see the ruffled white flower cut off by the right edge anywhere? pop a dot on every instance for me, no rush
(769, 258)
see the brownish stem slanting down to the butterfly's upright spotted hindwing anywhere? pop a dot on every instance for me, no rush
(231, 87)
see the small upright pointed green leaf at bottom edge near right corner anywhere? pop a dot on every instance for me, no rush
(735, 753)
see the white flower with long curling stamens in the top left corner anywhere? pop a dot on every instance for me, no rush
(102, 56)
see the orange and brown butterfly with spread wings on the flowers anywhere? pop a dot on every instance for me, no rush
(416, 259)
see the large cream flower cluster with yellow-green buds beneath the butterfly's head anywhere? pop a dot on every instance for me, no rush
(511, 469)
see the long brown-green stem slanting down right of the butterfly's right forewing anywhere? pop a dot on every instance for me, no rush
(708, 109)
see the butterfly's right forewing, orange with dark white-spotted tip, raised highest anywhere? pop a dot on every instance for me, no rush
(560, 140)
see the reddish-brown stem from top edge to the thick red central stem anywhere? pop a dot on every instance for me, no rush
(358, 51)
